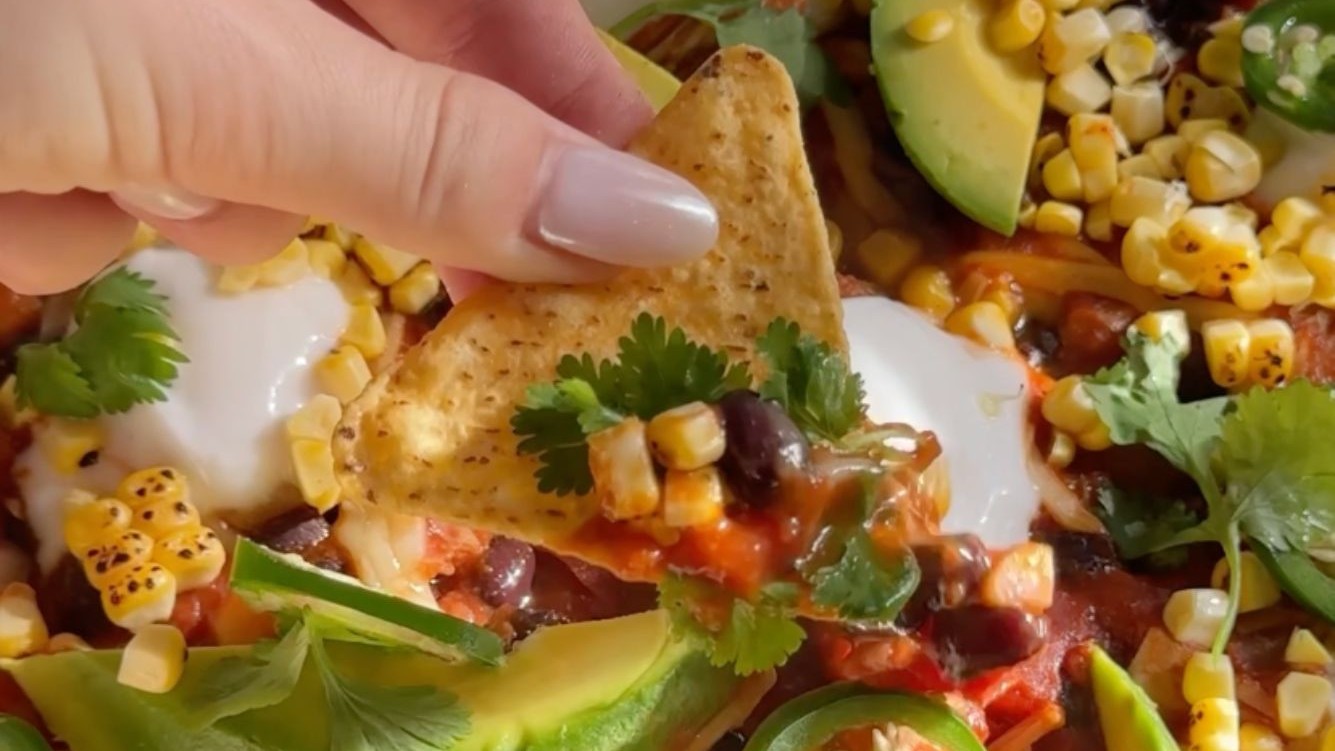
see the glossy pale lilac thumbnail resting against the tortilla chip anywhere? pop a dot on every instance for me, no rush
(616, 209)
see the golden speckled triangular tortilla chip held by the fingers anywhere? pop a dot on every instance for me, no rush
(433, 436)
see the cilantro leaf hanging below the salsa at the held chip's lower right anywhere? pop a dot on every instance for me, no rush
(866, 584)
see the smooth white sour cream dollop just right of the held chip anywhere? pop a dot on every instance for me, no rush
(974, 400)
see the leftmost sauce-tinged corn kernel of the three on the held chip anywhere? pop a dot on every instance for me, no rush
(624, 473)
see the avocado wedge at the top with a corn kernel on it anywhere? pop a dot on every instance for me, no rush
(966, 114)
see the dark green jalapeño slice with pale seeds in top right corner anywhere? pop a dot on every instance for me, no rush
(1316, 110)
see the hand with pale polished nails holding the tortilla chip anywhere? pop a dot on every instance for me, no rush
(225, 122)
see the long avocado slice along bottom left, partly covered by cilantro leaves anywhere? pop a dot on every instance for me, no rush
(605, 686)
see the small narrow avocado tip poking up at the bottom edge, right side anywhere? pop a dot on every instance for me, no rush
(1129, 717)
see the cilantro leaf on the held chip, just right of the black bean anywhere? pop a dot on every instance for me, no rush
(812, 382)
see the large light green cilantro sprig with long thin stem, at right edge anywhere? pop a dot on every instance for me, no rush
(1261, 460)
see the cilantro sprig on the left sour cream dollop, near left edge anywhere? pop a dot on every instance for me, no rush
(122, 353)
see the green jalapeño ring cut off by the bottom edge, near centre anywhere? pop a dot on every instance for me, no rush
(814, 720)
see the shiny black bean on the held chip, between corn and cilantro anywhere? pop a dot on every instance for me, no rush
(764, 448)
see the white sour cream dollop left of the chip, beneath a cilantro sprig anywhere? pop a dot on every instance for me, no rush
(222, 424)
